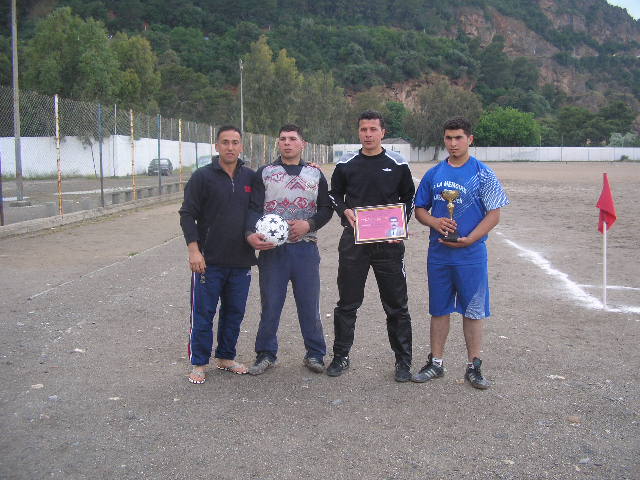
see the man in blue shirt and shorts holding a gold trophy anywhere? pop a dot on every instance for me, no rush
(457, 270)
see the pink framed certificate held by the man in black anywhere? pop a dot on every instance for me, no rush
(380, 223)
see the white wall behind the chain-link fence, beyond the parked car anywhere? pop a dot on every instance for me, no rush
(38, 155)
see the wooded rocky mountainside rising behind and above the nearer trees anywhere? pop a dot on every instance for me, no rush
(581, 52)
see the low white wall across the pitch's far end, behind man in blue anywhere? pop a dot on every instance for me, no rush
(536, 154)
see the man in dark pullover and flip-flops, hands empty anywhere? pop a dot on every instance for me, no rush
(212, 217)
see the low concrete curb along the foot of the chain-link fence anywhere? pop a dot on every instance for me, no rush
(37, 224)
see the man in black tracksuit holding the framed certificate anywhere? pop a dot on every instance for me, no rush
(373, 176)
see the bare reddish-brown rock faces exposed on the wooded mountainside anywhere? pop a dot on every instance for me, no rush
(581, 47)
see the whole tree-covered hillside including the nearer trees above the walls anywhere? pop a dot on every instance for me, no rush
(552, 64)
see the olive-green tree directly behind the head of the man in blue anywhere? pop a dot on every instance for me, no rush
(435, 104)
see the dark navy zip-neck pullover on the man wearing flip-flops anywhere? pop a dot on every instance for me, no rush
(214, 213)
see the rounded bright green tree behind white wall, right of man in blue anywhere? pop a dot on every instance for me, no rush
(507, 127)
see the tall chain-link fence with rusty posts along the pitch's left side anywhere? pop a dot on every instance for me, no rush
(77, 155)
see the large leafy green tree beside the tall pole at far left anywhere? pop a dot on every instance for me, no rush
(71, 57)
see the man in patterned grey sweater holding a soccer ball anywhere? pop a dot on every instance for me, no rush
(298, 192)
